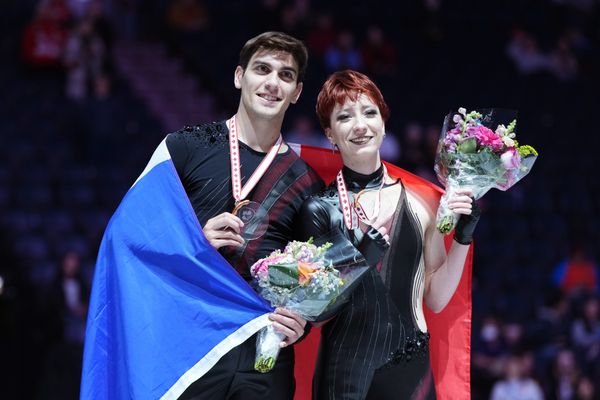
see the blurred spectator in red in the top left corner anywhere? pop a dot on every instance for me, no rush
(45, 37)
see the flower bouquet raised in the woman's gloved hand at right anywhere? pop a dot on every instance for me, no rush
(476, 152)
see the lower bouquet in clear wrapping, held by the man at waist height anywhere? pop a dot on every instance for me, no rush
(312, 280)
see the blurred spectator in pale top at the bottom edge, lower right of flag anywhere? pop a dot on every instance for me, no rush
(517, 384)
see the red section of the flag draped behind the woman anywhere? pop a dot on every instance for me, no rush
(450, 330)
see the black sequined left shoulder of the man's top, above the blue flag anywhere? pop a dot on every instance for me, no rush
(212, 134)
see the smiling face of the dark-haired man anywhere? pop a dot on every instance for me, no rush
(268, 84)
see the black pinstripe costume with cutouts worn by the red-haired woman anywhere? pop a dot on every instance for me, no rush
(373, 349)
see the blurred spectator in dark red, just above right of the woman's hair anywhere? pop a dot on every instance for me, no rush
(379, 54)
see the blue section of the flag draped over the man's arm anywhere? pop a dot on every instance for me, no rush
(162, 297)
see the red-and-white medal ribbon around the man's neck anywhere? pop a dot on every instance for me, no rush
(240, 192)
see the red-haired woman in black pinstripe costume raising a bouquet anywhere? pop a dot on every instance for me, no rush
(377, 346)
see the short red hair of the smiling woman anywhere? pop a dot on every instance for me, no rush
(344, 85)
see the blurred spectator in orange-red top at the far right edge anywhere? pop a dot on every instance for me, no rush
(578, 272)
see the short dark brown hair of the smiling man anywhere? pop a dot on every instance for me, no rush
(276, 41)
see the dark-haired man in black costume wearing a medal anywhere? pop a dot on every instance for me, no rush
(224, 166)
